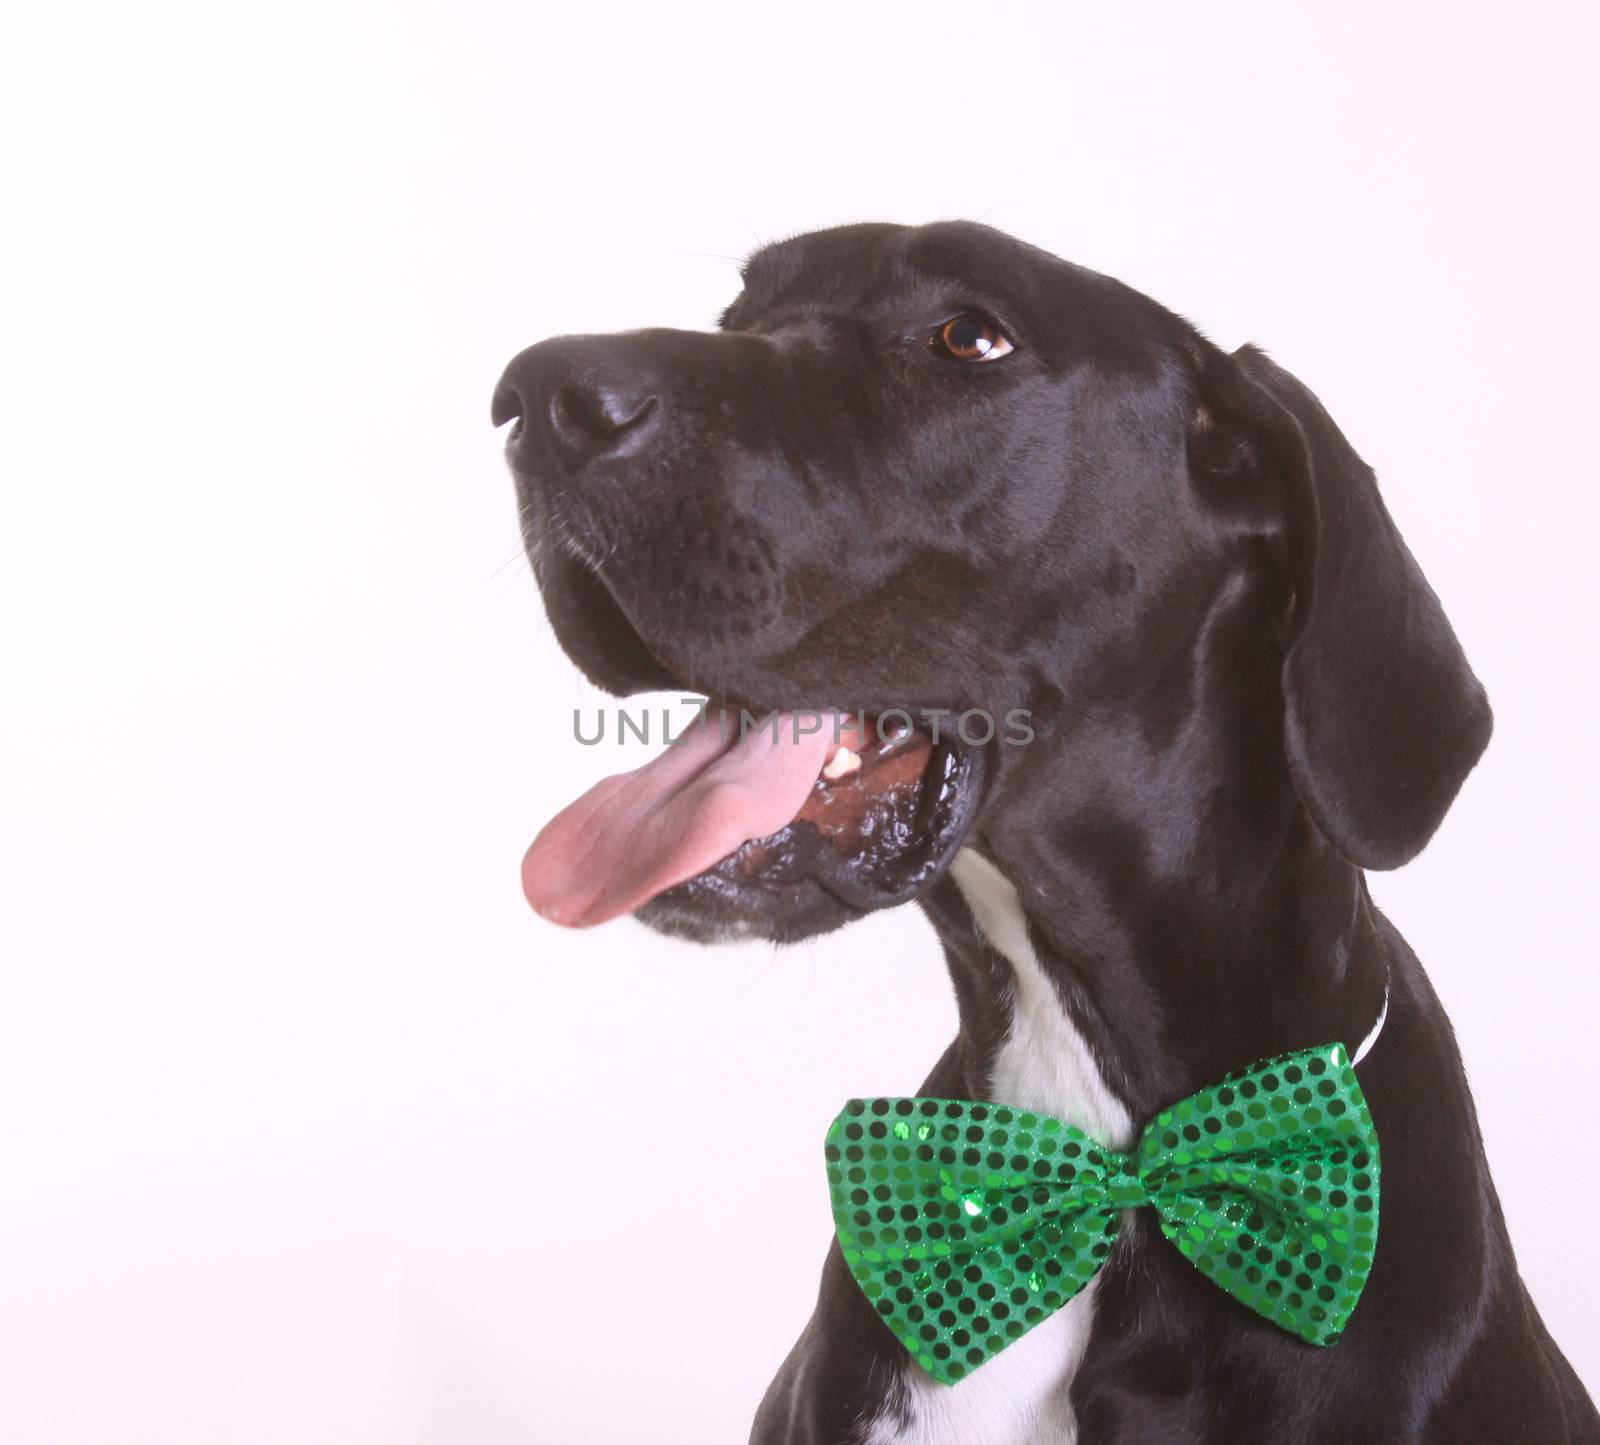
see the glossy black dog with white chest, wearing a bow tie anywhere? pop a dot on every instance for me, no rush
(937, 468)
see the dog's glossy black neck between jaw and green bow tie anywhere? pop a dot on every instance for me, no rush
(1190, 926)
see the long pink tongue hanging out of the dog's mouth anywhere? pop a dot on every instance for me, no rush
(638, 835)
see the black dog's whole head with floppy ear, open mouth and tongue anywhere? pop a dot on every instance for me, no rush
(934, 471)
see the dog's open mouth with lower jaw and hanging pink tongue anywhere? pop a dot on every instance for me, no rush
(782, 825)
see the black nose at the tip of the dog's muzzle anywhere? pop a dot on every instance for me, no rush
(586, 404)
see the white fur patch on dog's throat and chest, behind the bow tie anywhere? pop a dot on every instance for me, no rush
(1022, 1396)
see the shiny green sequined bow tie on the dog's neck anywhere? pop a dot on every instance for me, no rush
(967, 1225)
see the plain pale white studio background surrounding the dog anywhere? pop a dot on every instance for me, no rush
(310, 1131)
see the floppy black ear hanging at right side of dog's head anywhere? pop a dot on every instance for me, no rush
(1383, 718)
